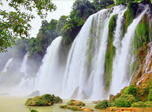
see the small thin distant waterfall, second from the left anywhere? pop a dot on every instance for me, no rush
(24, 64)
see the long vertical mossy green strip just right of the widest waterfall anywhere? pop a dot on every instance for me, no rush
(110, 51)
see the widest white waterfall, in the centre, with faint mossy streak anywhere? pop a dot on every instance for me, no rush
(78, 82)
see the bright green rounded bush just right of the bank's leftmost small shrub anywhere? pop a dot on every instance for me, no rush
(124, 101)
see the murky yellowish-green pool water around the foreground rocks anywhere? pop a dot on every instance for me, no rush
(16, 104)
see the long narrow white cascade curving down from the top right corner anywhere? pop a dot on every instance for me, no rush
(120, 67)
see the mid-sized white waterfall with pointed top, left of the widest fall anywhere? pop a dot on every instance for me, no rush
(49, 77)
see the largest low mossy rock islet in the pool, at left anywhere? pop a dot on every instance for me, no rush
(45, 100)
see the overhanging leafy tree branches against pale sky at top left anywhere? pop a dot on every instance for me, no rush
(15, 23)
